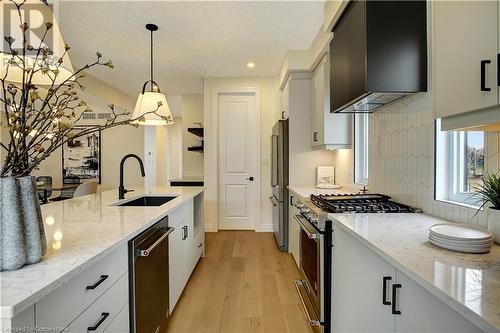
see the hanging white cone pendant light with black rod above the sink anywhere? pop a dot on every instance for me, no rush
(148, 100)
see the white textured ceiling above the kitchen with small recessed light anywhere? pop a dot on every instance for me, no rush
(196, 39)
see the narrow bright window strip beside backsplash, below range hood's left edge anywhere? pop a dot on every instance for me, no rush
(361, 148)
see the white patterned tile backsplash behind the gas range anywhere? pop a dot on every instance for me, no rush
(401, 162)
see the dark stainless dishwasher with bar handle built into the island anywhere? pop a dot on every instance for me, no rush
(148, 269)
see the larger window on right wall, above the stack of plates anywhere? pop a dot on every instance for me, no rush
(459, 165)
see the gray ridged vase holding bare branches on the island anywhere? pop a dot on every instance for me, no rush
(22, 237)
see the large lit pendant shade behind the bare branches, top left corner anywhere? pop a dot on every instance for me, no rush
(38, 14)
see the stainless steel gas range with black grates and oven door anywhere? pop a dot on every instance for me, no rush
(315, 246)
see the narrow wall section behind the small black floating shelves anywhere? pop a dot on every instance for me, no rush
(192, 110)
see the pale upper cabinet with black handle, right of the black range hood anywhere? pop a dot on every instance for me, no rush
(466, 56)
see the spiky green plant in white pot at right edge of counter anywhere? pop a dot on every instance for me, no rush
(489, 194)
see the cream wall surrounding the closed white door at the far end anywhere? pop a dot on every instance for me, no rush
(269, 102)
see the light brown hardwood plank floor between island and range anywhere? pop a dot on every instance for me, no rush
(244, 284)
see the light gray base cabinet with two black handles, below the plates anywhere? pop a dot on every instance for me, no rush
(360, 303)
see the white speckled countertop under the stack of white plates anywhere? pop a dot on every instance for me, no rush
(468, 283)
